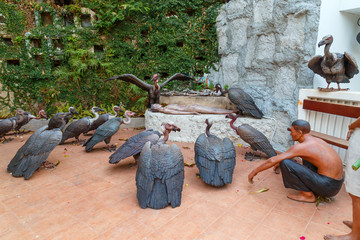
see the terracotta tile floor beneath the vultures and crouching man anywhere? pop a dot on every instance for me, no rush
(85, 197)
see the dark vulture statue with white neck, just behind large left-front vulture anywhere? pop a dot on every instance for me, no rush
(80, 126)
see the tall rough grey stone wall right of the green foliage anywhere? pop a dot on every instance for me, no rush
(264, 47)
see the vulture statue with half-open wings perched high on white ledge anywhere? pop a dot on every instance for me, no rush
(334, 67)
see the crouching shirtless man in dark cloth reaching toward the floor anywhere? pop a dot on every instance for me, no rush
(321, 172)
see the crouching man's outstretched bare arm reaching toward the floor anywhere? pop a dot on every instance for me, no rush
(290, 153)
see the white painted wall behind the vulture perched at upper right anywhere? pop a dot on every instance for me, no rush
(339, 18)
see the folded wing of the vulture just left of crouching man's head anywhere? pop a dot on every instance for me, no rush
(256, 139)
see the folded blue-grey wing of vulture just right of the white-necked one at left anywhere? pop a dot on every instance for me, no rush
(104, 132)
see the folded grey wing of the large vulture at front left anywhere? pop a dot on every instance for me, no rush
(34, 152)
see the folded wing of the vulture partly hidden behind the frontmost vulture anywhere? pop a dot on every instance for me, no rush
(134, 145)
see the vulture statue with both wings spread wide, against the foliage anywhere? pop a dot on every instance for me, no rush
(153, 90)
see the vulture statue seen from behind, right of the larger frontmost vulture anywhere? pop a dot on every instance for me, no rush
(215, 158)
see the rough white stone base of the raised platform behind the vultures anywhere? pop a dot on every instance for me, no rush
(193, 125)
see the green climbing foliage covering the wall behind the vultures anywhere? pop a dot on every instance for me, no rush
(138, 37)
